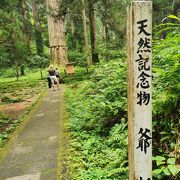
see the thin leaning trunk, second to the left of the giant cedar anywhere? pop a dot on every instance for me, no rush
(25, 23)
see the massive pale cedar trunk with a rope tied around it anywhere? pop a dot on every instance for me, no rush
(57, 33)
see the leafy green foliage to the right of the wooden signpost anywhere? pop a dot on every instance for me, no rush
(166, 100)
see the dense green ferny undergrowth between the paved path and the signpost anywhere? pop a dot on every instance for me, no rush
(97, 109)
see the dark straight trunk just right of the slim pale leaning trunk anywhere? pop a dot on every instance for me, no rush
(93, 32)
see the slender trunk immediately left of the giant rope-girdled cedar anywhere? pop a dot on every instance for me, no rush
(37, 28)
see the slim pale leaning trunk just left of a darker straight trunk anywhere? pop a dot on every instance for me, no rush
(89, 62)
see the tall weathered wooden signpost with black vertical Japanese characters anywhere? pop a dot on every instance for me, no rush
(139, 35)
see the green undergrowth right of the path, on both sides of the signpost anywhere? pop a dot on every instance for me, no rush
(97, 109)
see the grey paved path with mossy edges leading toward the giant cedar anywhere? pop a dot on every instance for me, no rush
(34, 154)
